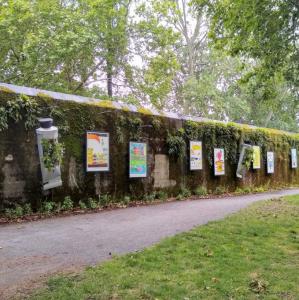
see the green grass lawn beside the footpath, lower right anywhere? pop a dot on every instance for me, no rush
(253, 254)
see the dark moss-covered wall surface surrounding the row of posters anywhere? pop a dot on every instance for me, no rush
(75, 119)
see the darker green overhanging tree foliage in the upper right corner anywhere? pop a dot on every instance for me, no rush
(266, 30)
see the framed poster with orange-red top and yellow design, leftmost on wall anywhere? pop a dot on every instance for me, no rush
(97, 151)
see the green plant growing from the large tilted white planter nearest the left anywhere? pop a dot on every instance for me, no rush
(52, 153)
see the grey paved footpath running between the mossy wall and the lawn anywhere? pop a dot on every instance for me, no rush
(30, 251)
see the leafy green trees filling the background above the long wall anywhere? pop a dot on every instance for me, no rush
(232, 60)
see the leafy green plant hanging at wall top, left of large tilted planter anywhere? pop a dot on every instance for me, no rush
(21, 108)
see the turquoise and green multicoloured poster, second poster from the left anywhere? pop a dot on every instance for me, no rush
(138, 160)
